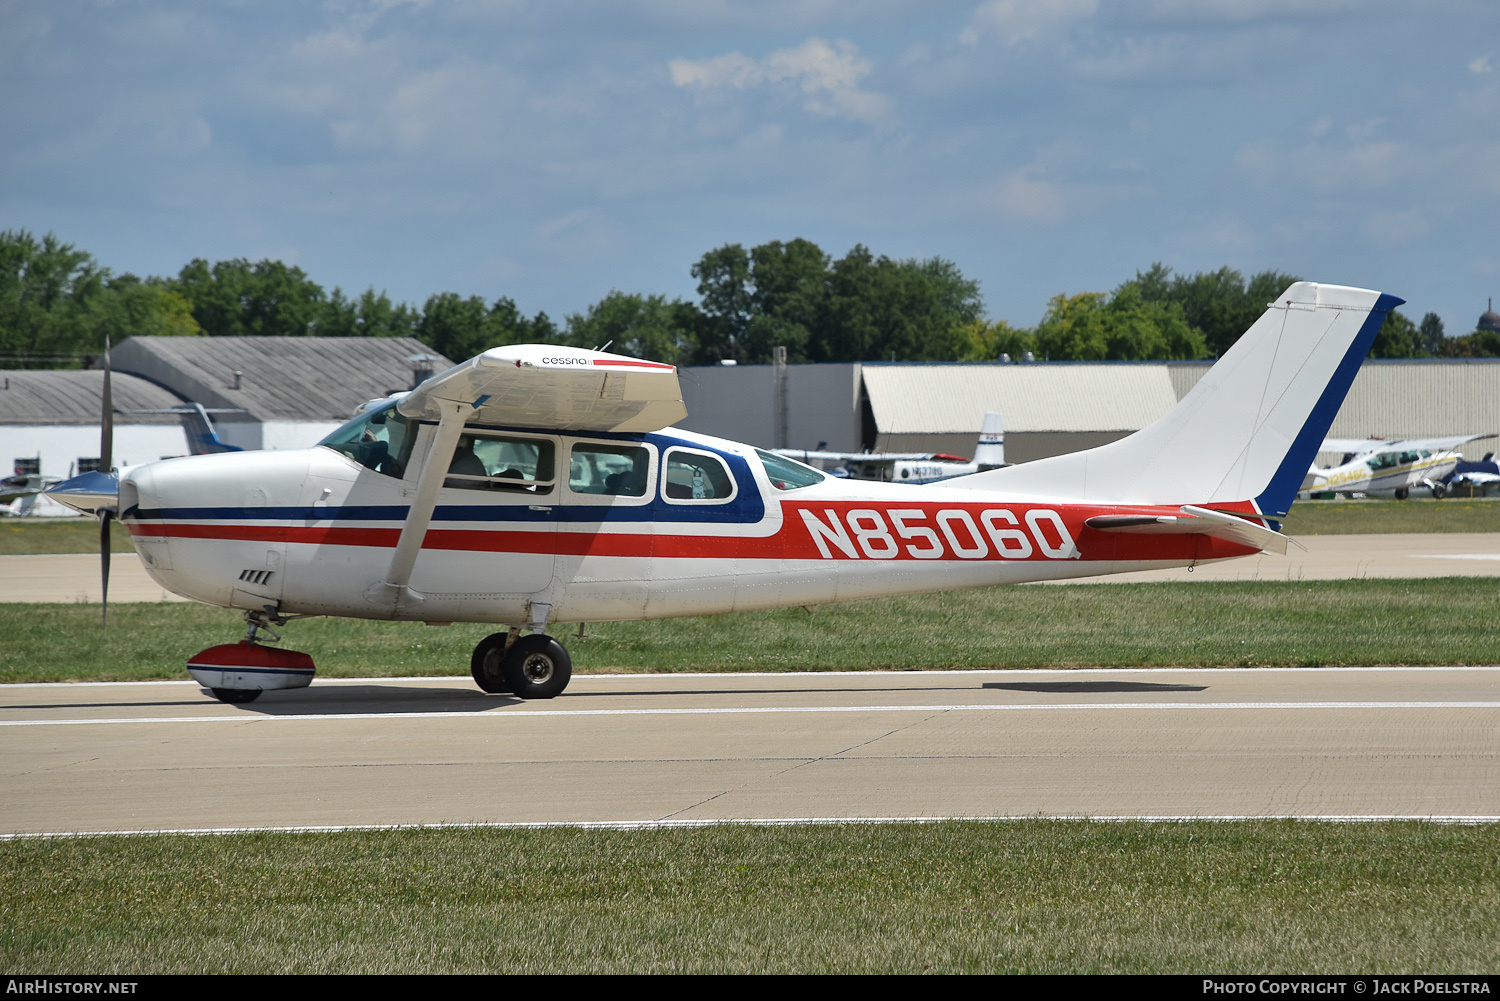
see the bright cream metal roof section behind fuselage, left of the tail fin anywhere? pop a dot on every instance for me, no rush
(1045, 397)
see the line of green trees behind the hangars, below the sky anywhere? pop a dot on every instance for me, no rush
(58, 305)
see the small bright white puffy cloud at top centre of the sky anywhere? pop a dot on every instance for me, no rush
(827, 74)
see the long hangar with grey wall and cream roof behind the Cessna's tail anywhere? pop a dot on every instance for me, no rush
(1048, 407)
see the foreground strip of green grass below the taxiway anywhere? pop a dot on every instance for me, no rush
(1027, 897)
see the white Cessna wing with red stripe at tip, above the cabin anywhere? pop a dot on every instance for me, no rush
(554, 388)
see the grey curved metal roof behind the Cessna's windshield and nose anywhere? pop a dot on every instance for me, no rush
(281, 379)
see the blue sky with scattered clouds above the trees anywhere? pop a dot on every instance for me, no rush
(554, 151)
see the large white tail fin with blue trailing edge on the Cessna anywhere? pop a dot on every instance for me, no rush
(1246, 433)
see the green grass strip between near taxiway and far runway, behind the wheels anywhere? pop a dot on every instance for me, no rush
(1268, 624)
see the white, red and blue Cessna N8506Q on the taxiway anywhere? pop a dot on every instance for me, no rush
(536, 484)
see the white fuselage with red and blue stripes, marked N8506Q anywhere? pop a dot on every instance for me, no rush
(313, 532)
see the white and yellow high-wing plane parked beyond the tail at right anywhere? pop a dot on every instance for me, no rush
(1376, 467)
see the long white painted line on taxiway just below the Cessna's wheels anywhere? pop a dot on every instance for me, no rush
(743, 711)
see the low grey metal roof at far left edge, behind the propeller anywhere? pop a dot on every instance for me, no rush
(61, 397)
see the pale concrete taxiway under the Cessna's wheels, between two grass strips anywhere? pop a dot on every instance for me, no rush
(1373, 742)
